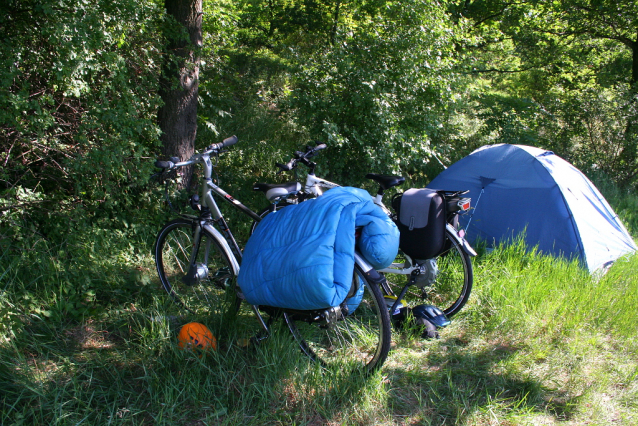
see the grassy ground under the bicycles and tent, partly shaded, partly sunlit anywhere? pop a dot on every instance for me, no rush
(88, 337)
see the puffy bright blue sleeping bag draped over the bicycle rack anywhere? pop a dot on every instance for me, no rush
(302, 256)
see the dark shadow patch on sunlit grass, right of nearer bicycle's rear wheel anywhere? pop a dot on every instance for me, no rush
(456, 383)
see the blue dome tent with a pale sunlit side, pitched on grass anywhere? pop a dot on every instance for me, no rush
(516, 188)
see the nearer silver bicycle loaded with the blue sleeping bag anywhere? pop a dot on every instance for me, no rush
(198, 260)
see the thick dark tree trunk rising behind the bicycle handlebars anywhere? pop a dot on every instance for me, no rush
(178, 116)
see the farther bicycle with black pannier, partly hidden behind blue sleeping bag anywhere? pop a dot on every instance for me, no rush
(446, 281)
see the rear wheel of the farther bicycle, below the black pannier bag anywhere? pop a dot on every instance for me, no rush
(452, 287)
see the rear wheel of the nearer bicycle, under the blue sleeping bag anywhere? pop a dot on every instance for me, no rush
(360, 340)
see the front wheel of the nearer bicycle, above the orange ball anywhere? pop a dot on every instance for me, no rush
(214, 289)
